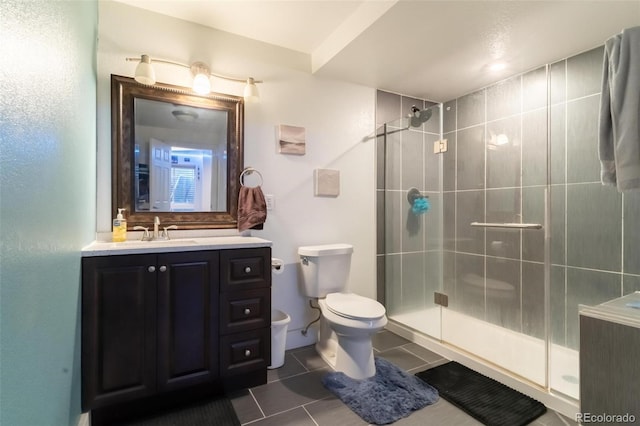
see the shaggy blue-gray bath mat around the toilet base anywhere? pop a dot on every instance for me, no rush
(384, 398)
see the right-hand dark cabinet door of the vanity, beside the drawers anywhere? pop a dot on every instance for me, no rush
(187, 319)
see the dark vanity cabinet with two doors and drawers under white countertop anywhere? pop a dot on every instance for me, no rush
(151, 323)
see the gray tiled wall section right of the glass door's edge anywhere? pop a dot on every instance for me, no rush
(595, 246)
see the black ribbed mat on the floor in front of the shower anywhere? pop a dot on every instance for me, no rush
(483, 398)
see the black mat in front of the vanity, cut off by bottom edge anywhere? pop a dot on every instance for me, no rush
(218, 412)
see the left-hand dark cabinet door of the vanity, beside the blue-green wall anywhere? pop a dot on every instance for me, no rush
(118, 329)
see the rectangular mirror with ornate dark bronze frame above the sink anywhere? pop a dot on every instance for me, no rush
(175, 154)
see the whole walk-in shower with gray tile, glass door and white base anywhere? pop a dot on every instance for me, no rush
(519, 232)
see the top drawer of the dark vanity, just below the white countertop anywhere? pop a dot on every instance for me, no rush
(245, 269)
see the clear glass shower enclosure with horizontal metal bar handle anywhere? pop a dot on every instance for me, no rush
(470, 272)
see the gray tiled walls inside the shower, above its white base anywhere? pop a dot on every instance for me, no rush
(595, 231)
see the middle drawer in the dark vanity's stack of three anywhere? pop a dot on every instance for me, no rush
(245, 310)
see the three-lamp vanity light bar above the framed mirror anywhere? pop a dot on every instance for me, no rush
(201, 72)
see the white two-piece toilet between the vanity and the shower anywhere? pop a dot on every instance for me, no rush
(348, 321)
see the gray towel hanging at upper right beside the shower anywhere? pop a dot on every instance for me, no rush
(619, 138)
